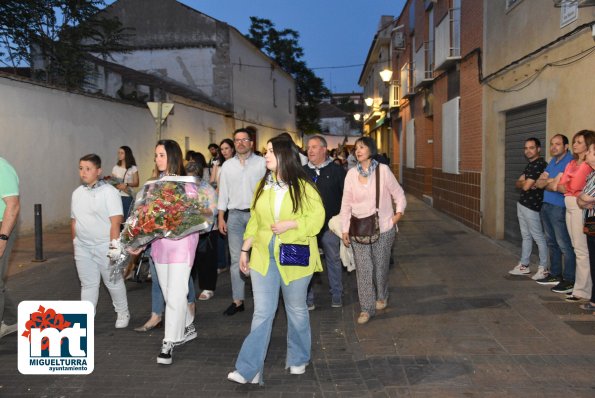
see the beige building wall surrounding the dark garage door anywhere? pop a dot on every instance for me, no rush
(568, 90)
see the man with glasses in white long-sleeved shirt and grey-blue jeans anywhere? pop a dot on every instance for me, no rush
(237, 180)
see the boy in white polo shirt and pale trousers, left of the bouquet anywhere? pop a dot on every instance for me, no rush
(96, 213)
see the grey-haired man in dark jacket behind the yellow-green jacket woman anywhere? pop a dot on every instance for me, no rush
(328, 177)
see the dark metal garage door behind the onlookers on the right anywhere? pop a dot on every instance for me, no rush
(521, 123)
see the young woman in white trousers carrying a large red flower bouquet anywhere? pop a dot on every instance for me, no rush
(179, 208)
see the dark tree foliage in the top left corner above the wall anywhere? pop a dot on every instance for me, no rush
(53, 37)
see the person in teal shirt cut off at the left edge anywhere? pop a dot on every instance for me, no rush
(9, 213)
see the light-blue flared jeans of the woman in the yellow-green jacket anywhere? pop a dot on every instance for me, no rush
(266, 300)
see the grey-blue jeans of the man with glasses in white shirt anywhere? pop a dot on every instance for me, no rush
(236, 226)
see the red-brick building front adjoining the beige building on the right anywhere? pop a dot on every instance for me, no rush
(457, 195)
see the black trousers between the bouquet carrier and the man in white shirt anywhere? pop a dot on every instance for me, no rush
(204, 269)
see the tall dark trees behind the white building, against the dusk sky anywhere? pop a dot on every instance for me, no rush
(283, 47)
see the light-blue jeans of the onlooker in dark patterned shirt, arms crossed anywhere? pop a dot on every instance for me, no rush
(531, 229)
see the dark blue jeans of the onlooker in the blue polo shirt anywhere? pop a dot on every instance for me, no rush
(558, 241)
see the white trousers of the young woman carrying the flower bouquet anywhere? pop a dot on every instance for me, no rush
(173, 280)
